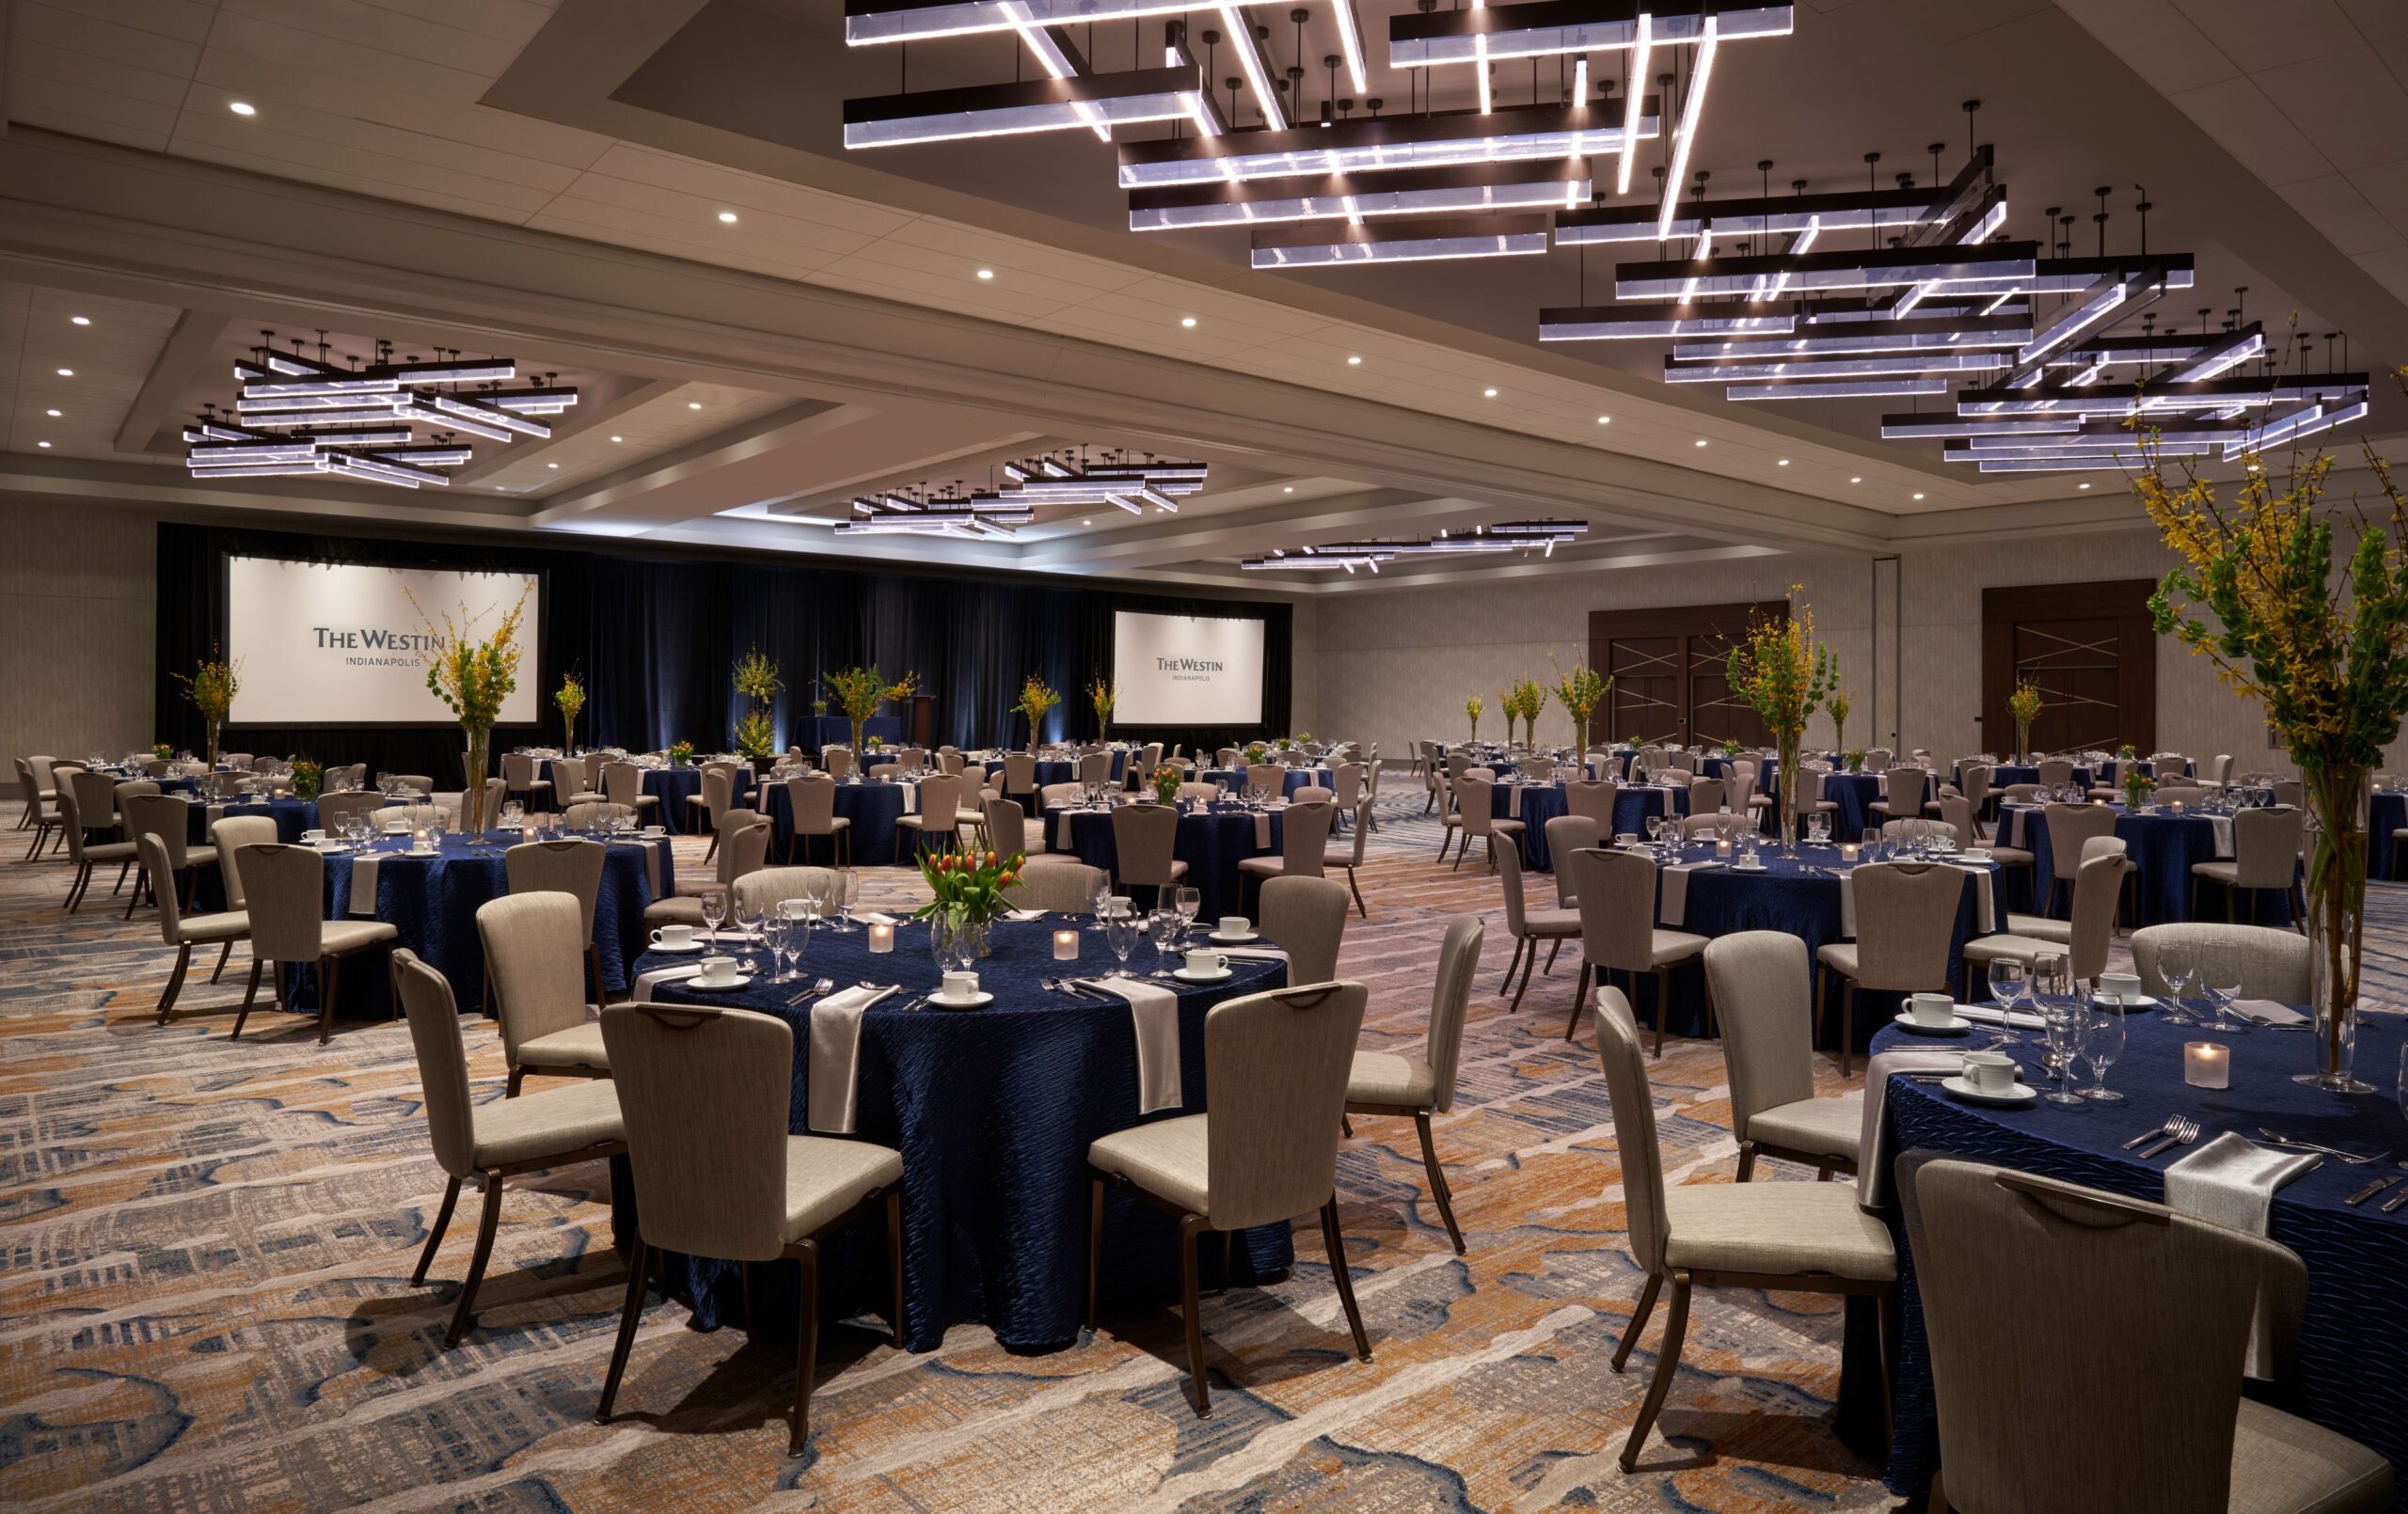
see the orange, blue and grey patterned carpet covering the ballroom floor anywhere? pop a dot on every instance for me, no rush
(206, 1291)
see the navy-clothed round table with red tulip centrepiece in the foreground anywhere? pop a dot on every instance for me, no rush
(993, 1111)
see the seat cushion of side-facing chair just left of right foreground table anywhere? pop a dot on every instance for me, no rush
(1781, 1229)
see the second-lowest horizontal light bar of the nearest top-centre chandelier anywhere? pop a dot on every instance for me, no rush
(1410, 191)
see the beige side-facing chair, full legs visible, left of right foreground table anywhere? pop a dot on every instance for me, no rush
(1773, 1236)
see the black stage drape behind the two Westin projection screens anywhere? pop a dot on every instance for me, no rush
(654, 641)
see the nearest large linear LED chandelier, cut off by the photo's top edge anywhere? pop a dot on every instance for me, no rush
(1342, 189)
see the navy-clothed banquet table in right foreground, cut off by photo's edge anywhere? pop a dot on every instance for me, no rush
(2356, 1330)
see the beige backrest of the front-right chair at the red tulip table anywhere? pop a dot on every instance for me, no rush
(1277, 1087)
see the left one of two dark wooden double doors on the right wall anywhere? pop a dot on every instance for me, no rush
(1670, 673)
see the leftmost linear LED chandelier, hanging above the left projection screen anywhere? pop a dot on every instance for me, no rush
(300, 415)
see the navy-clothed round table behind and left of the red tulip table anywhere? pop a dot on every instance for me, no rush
(432, 901)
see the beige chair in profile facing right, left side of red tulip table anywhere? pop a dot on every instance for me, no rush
(488, 1145)
